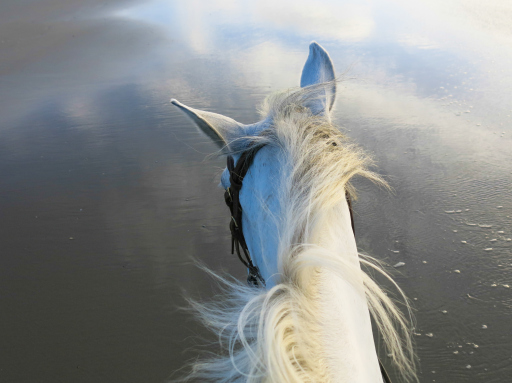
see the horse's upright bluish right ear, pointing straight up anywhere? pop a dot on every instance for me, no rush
(318, 70)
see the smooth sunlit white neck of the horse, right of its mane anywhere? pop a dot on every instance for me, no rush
(346, 333)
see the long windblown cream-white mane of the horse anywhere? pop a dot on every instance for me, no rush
(272, 335)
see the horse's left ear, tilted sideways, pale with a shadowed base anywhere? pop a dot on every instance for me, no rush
(221, 129)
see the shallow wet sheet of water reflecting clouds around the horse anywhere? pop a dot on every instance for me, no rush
(107, 192)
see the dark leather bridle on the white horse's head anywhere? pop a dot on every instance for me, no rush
(232, 198)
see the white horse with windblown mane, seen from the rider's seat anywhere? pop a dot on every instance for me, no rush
(307, 316)
